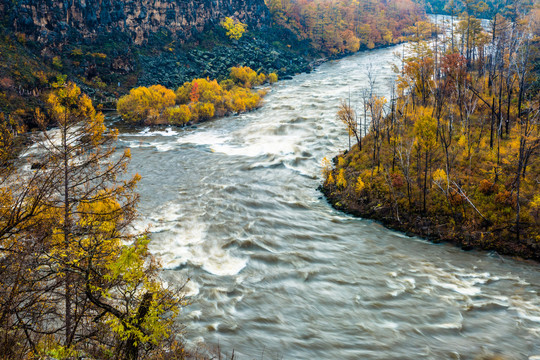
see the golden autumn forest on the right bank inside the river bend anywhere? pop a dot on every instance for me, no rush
(453, 155)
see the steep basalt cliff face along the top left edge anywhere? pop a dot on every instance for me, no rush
(59, 22)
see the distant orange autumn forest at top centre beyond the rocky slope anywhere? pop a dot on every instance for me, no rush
(339, 26)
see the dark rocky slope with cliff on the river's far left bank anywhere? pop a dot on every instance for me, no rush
(110, 46)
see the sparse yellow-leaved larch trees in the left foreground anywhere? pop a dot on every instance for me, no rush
(94, 287)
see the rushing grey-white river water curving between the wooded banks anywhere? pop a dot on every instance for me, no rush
(233, 206)
